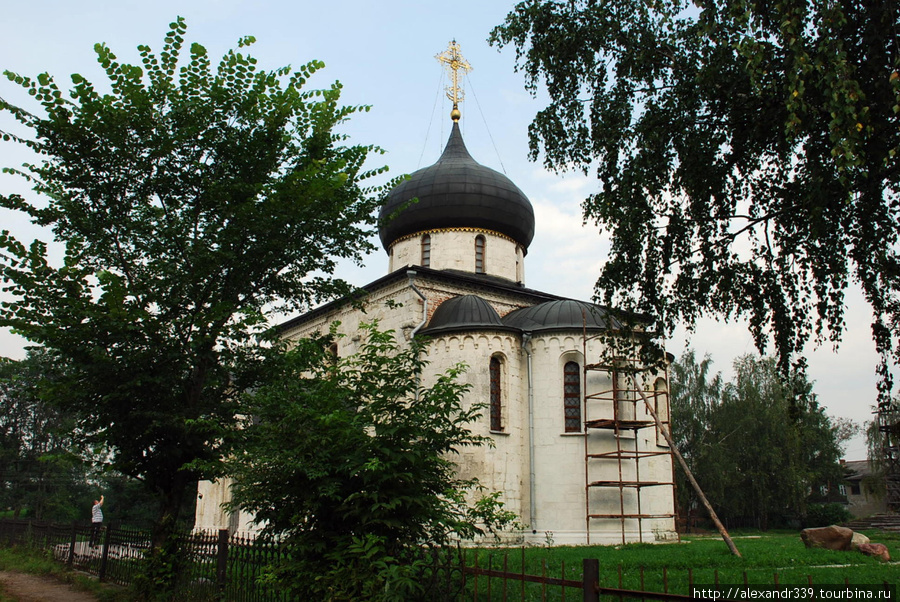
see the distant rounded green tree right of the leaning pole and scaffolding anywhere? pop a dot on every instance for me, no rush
(758, 446)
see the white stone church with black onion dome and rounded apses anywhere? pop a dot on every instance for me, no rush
(577, 455)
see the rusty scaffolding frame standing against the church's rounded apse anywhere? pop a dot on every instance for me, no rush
(619, 409)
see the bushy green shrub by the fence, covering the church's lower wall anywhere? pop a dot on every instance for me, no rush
(349, 463)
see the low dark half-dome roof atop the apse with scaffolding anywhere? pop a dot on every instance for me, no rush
(565, 314)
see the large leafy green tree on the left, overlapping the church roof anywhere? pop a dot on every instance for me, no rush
(188, 198)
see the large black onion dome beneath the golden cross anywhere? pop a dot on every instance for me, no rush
(457, 192)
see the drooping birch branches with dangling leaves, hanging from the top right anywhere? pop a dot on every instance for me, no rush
(747, 155)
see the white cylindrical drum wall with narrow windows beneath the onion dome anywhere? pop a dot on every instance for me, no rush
(454, 249)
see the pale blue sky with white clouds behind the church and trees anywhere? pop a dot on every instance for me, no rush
(383, 53)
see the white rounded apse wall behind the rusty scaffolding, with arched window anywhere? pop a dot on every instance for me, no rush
(559, 456)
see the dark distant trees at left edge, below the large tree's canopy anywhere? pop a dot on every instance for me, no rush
(43, 474)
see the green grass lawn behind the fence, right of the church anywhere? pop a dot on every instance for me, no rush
(701, 560)
